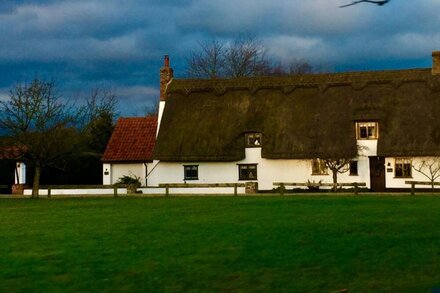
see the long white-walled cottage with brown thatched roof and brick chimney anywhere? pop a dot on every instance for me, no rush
(282, 129)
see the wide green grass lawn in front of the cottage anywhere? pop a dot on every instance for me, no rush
(295, 244)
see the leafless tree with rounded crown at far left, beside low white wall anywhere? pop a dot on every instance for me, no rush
(40, 124)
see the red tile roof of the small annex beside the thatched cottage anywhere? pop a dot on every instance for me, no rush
(132, 140)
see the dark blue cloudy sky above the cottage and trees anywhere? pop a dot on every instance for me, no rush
(119, 44)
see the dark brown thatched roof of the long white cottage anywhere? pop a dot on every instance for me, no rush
(300, 117)
